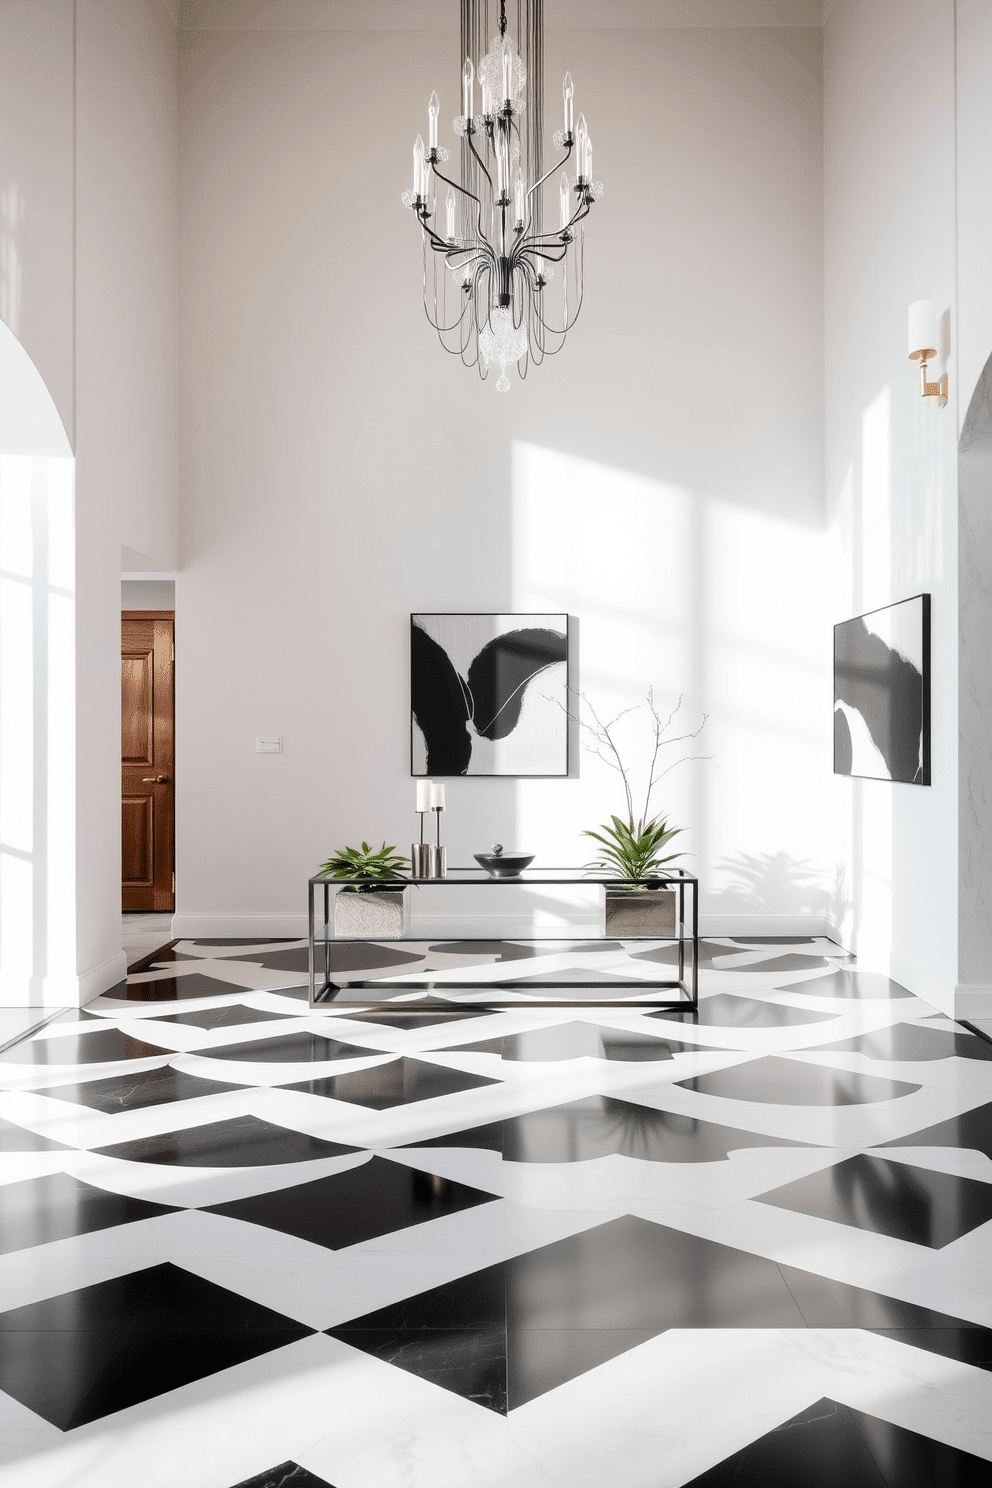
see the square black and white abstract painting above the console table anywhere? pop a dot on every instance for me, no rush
(490, 694)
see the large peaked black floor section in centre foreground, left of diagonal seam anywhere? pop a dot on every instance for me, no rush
(588, 1298)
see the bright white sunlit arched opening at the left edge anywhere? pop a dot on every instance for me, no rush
(38, 691)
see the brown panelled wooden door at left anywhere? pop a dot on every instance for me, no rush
(148, 740)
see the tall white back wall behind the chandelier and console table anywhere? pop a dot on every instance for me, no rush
(663, 480)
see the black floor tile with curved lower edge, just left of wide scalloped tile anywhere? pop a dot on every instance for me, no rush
(243, 1142)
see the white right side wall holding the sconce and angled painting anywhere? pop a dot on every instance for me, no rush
(892, 461)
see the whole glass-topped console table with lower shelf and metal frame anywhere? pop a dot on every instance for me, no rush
(347, 971)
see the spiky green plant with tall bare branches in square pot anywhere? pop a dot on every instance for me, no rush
(633, 847)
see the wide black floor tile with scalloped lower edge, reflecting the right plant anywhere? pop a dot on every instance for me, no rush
(602, 1126)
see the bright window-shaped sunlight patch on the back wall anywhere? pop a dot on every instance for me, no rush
(706, 600)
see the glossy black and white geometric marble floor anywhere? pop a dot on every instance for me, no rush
(538, 1248)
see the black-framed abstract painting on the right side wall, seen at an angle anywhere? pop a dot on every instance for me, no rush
(881, 711)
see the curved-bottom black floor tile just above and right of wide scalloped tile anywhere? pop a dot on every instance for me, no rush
(792, 1083)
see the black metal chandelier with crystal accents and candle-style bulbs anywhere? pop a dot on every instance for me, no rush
(500, 288)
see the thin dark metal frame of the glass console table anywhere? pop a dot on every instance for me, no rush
(323, 989)
